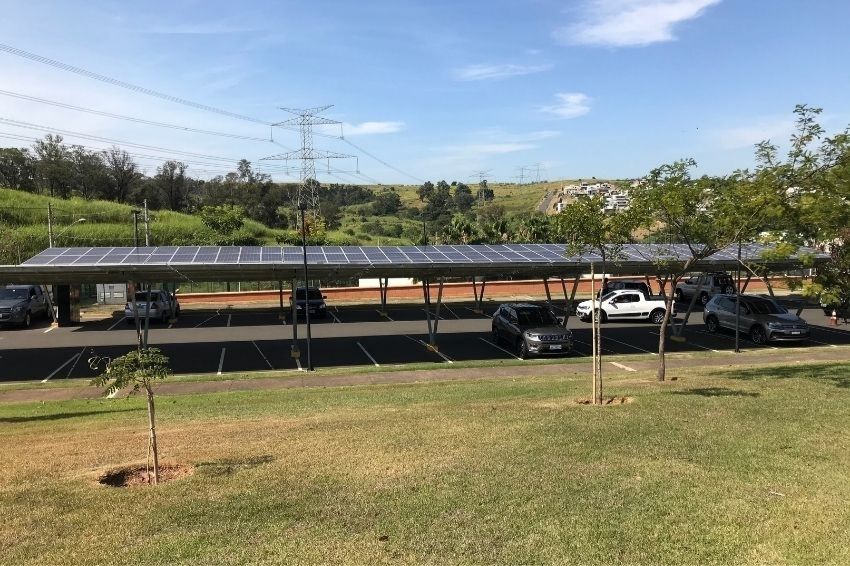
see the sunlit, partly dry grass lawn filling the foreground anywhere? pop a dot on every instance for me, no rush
(723, 466)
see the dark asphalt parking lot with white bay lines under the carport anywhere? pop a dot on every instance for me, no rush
(240, 340)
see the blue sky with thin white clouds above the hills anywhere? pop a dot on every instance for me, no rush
(439, 89)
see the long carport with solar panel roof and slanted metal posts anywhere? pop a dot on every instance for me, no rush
(430, 264)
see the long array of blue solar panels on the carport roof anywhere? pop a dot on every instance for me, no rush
(374, 255)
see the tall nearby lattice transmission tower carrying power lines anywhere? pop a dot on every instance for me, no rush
(307, 196)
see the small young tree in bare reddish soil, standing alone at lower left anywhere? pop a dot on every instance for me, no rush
(138, 369)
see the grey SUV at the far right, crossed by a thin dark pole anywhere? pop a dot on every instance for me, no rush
(762, 318)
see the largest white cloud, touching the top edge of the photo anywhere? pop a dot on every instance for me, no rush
(620, 23)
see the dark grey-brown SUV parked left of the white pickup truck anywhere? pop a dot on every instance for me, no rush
(531, 330)
